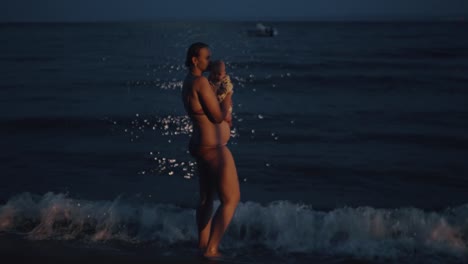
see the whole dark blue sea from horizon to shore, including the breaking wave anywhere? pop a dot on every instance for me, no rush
(349, 138)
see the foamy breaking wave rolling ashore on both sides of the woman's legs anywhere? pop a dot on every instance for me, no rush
(281, 227)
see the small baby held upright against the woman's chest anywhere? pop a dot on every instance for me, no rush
(221, 84)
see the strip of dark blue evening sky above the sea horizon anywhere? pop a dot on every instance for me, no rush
(121, 10)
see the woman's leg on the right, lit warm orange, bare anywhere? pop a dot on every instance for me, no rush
(227, 185)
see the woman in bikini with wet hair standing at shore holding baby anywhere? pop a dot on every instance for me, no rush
(216, 167)
